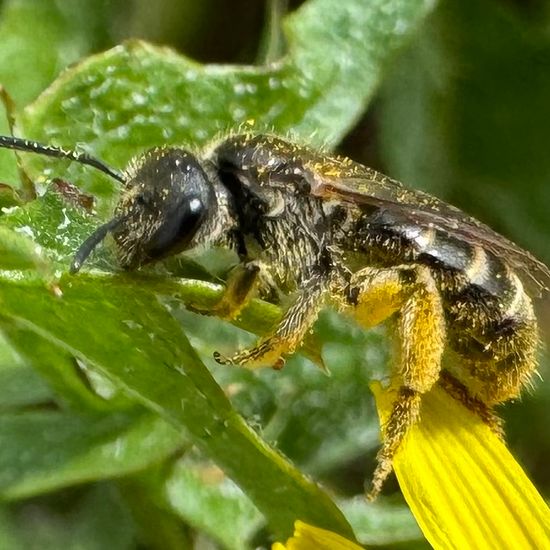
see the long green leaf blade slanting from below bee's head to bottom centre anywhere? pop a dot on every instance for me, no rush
(130, 337)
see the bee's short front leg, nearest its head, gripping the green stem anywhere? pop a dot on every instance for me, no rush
(240, 288)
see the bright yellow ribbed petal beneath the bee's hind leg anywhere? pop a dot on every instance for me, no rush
(462, 484)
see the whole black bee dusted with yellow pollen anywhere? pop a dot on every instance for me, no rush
(325, 230)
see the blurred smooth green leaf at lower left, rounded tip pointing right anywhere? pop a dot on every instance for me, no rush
(42, 451)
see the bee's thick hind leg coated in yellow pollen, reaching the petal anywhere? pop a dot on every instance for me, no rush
(412, 293)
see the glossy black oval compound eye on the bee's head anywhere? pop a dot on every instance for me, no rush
(177, 230)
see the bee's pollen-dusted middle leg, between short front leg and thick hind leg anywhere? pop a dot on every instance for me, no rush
(290, 332)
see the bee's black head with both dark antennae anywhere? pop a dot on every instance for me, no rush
(169, 204)
